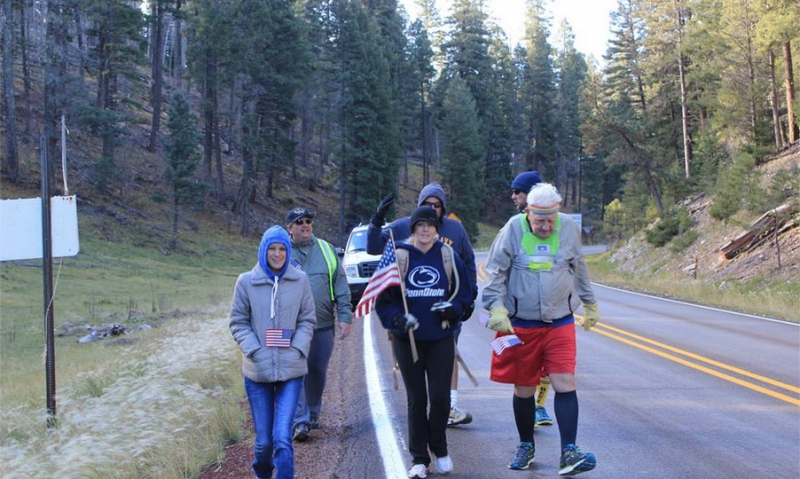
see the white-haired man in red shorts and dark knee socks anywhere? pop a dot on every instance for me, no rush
(537, 279)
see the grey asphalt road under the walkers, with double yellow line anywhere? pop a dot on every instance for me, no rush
(666, 390)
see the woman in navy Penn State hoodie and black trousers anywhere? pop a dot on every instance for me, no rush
(433, 309)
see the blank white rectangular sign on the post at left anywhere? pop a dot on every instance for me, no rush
(21, 228)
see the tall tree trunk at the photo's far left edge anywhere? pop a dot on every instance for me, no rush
(10, 165)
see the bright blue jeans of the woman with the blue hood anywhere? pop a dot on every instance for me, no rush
(272, 406)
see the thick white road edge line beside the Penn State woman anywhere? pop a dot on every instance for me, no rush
(387, 441)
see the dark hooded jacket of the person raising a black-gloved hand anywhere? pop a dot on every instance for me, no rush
(451, 232)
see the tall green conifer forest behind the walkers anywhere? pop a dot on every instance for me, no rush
(690, 96)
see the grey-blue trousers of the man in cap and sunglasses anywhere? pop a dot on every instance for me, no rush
(319, 354)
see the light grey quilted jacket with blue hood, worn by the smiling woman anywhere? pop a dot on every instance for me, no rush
(263, 299)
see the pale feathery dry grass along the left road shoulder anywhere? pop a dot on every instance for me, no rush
(161, 409)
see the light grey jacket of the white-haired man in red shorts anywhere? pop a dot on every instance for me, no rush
(531, 295)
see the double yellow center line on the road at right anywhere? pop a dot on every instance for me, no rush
(712, 372)
